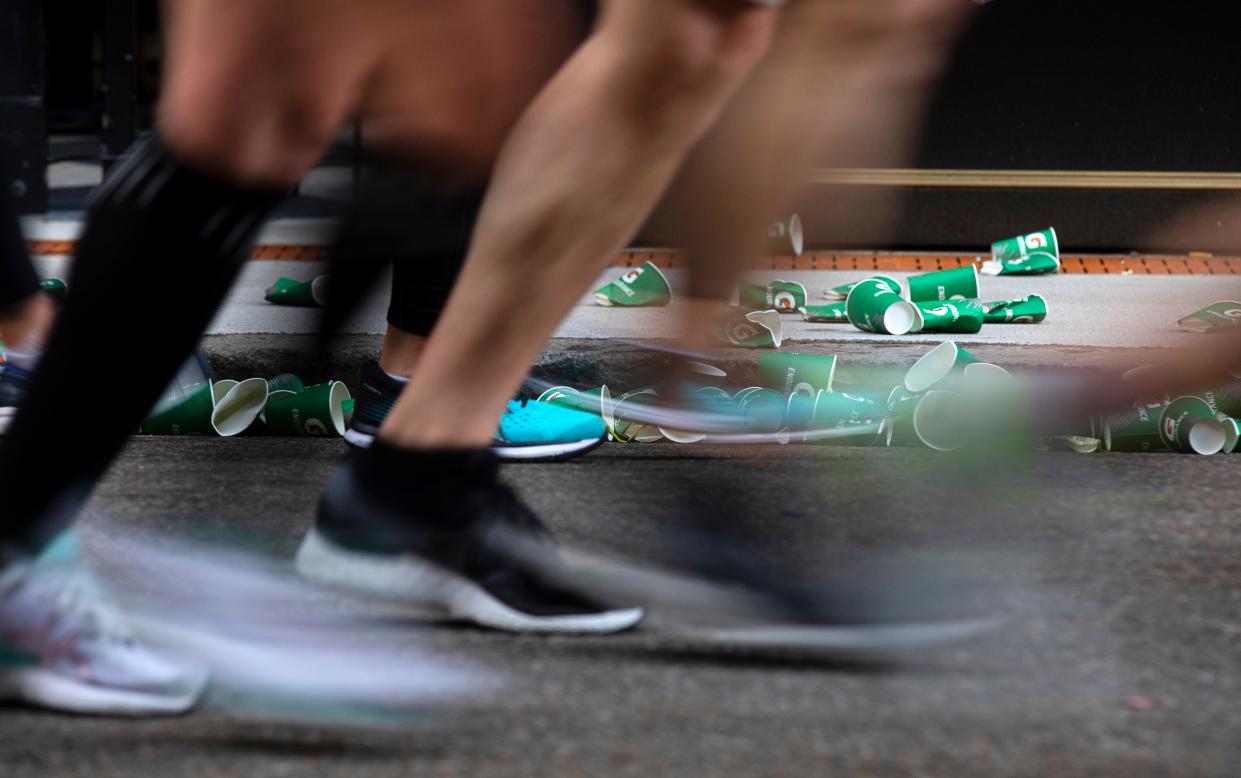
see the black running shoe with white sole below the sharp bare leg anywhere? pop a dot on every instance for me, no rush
(447, 544)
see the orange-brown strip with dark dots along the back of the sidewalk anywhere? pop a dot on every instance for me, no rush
(863, 262)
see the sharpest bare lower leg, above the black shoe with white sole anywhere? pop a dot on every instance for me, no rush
(579, 174)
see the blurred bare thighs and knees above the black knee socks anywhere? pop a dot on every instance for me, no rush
(258, 89)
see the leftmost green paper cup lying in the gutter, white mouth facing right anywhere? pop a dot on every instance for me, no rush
(224, 409)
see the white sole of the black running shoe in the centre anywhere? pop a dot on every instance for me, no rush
(415, 581)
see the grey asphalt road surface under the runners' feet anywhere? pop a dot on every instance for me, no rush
(1120, 653)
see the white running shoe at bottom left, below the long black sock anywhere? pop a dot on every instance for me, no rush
(63, 648)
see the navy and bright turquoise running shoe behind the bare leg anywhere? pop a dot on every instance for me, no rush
(529, 431)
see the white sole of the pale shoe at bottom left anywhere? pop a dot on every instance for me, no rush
(47, 689)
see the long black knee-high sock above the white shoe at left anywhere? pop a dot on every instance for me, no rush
(162, 248)
